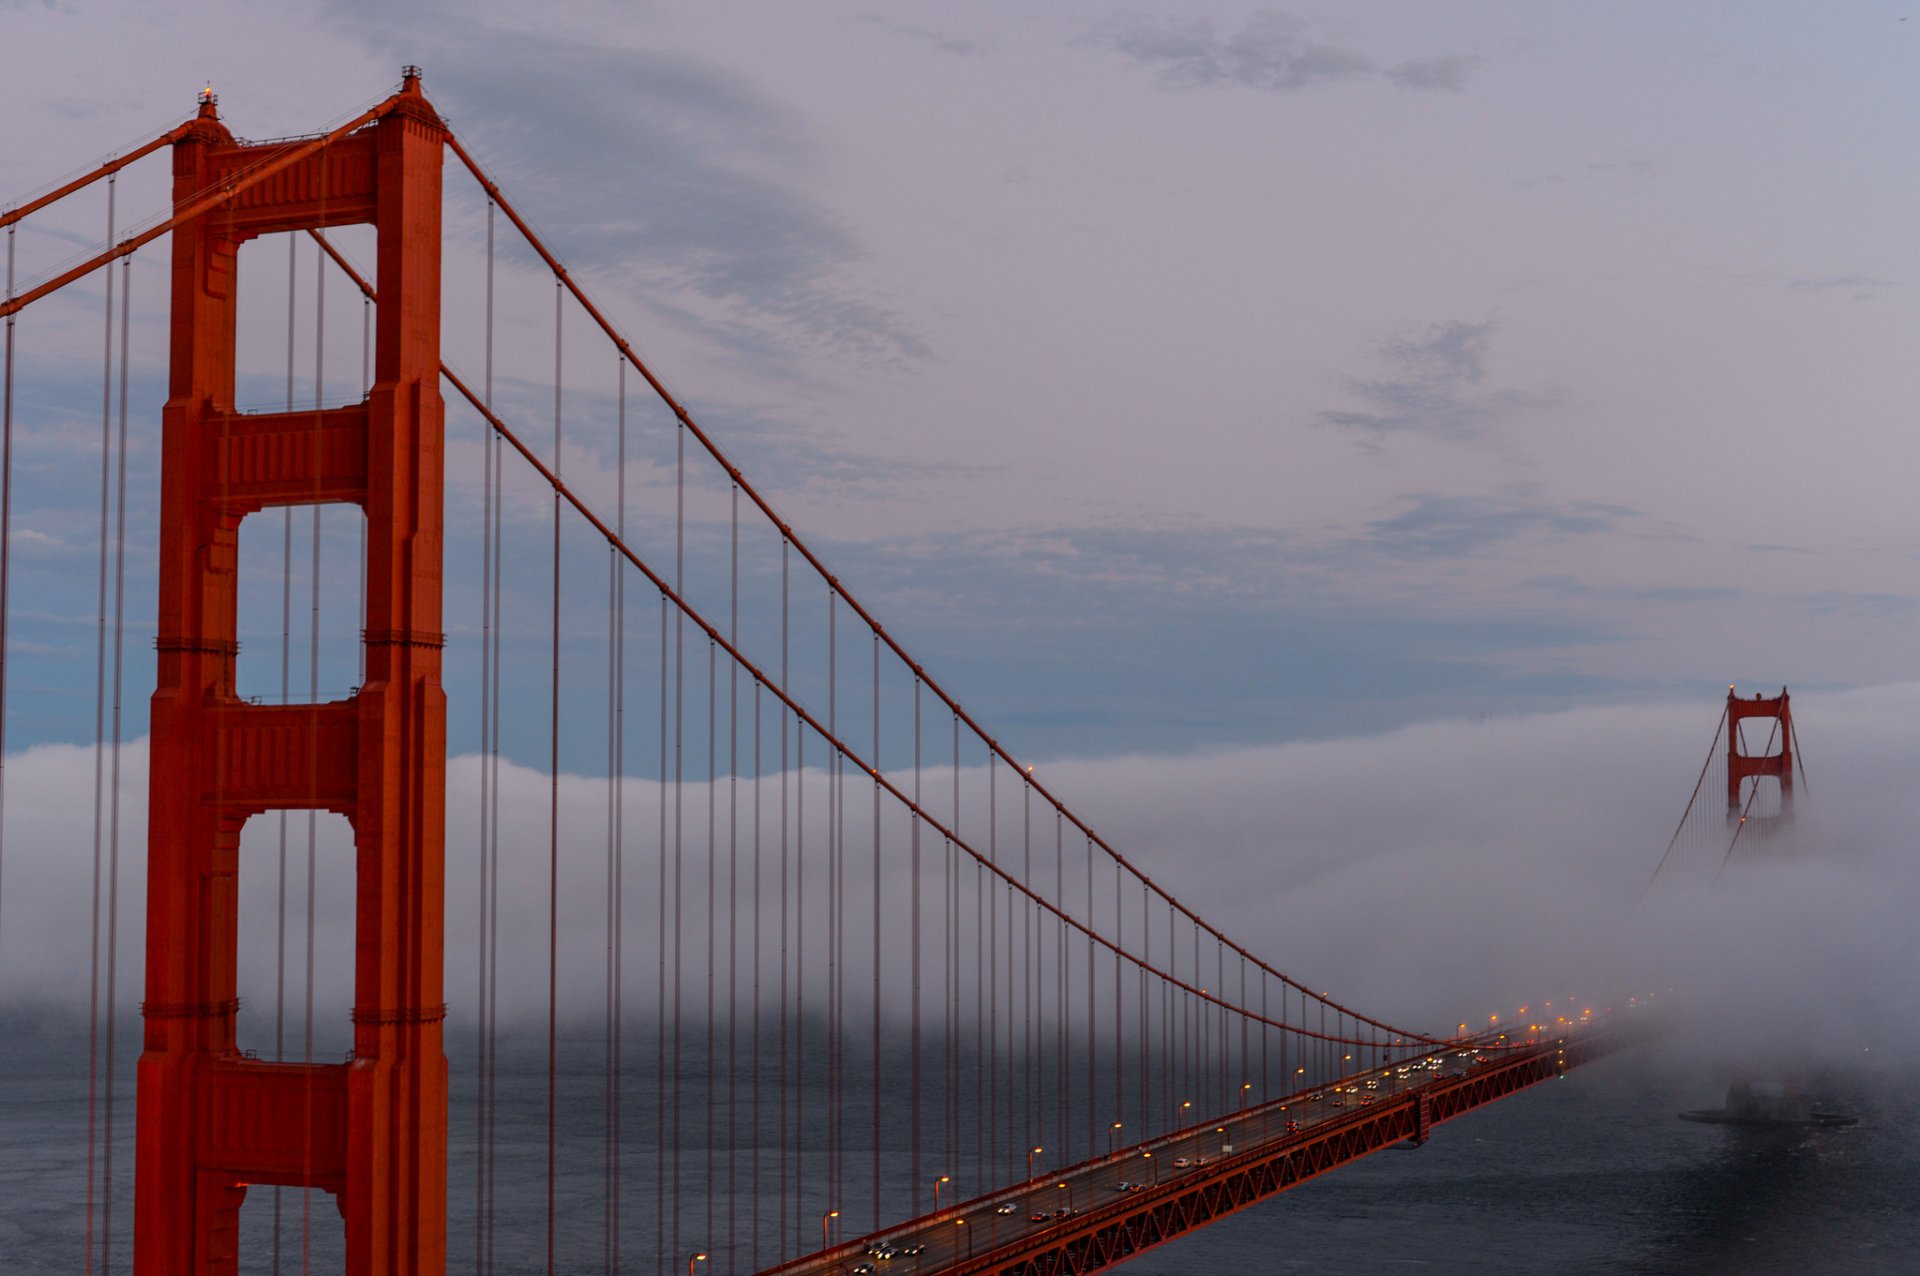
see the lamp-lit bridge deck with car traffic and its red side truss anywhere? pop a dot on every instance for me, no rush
(1080, 1219)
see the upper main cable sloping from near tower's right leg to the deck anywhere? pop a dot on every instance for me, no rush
(713, 450)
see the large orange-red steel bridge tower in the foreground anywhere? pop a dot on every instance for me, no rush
(372, 1131)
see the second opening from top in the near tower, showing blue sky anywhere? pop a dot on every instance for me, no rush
(300, 603)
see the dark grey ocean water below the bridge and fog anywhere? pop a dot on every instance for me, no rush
(1593, 1173)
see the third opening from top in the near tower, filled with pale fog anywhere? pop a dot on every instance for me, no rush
(295, 937)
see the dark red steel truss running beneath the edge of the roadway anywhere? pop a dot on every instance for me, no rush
(1124, 1229)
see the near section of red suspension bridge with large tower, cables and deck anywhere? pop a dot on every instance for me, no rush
(861, 991)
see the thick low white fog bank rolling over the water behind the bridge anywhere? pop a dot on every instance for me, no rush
(1429, 876)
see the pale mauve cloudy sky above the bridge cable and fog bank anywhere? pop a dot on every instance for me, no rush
(1207, 373)
